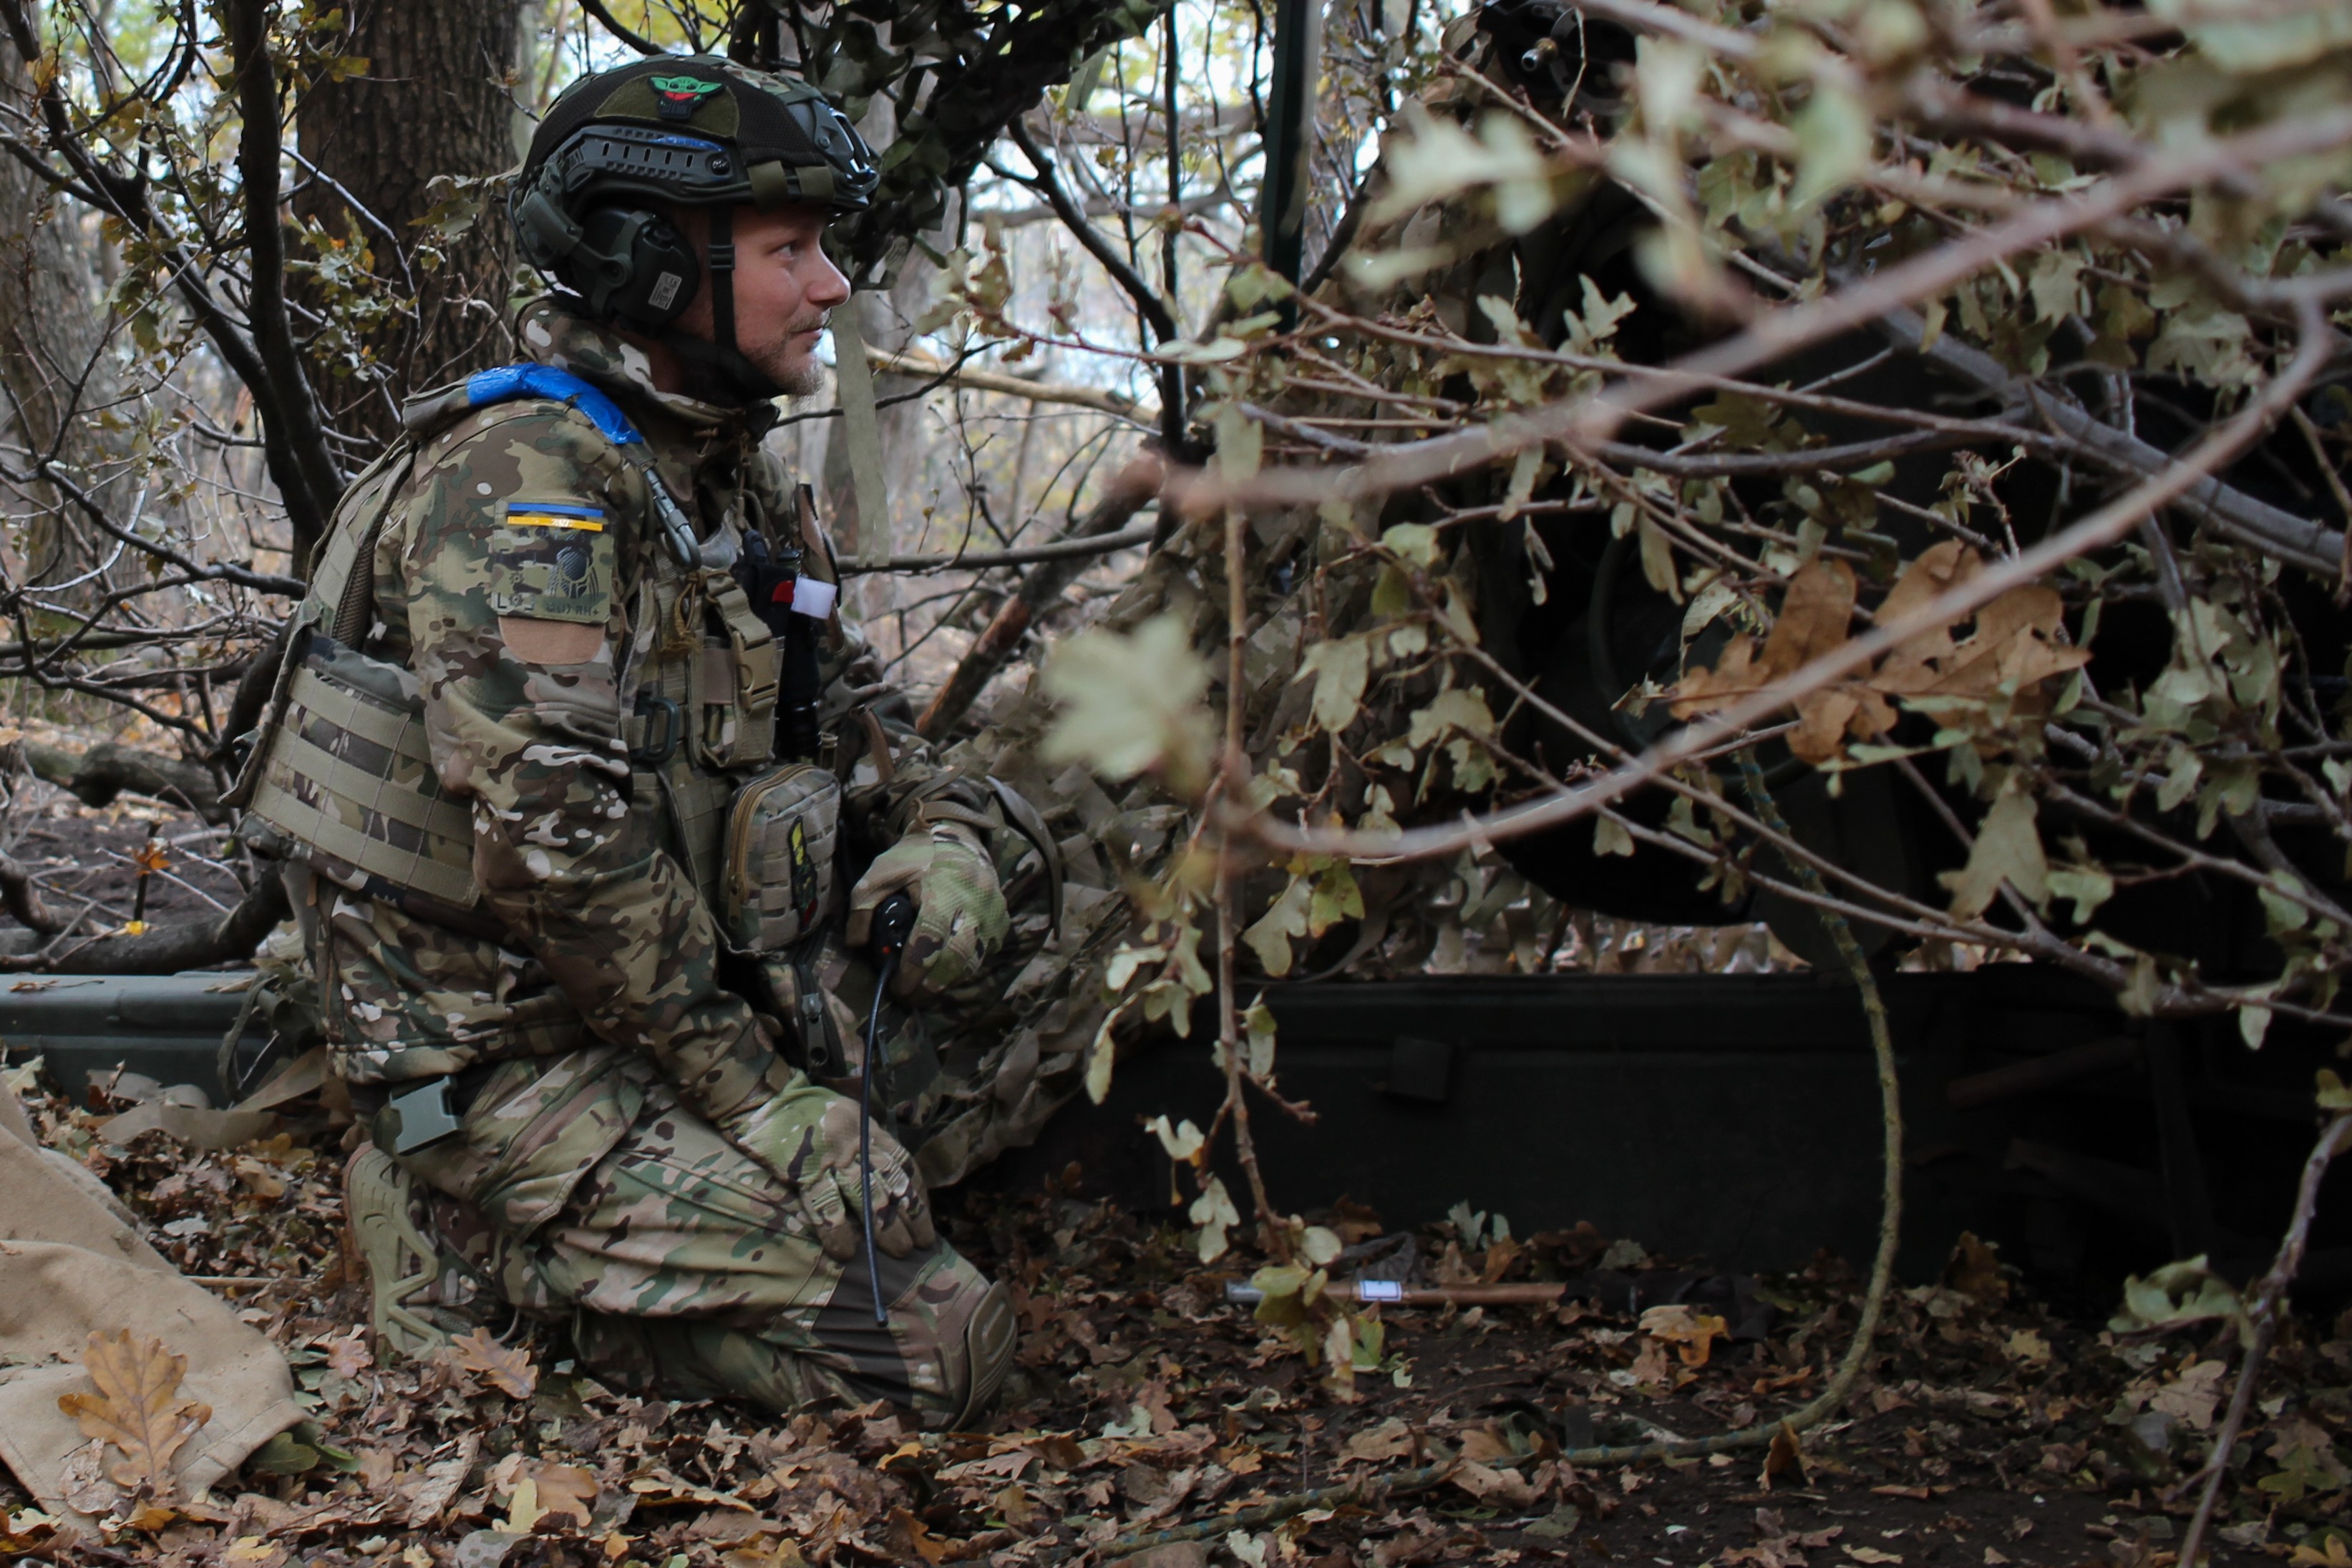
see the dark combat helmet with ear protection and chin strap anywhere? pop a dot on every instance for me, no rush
(679, 130)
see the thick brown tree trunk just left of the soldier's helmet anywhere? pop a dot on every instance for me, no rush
(432, 100)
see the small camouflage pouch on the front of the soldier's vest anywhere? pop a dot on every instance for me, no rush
(777, 883)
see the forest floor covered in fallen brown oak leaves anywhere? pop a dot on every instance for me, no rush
(1989, 1433)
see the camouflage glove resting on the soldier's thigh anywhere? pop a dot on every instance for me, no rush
(810, 1139)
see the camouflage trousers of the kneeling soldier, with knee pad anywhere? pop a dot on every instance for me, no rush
(688, 1271)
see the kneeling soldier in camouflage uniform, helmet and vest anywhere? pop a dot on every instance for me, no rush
(566, 833)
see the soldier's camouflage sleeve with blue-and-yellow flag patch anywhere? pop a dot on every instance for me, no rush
(514, 558)
